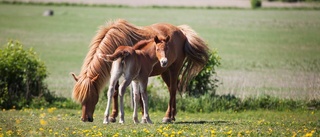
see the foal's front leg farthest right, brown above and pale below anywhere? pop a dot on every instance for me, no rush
(144, 96)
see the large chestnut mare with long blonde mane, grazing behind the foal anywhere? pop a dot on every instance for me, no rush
(190, 57)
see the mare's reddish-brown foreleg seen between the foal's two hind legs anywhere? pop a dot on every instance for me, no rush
(115, 108)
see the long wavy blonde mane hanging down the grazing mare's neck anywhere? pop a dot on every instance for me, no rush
(95, 72)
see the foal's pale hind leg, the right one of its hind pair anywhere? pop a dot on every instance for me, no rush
(122, 88)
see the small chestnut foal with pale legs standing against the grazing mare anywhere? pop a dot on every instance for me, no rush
(136, 65)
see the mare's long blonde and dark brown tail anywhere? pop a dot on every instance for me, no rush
(196, 56)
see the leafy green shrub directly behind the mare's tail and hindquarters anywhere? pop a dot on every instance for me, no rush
(205, 81)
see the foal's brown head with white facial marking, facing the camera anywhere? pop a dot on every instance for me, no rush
(162, 49)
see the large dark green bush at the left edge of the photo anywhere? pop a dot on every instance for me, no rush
(22, 77)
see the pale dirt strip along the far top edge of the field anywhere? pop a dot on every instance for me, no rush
(195, 3)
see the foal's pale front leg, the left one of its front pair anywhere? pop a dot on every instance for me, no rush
(136, 98)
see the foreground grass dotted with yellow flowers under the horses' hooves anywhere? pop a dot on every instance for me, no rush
(62, 122)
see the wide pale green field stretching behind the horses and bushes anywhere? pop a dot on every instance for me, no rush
(274, 52)
